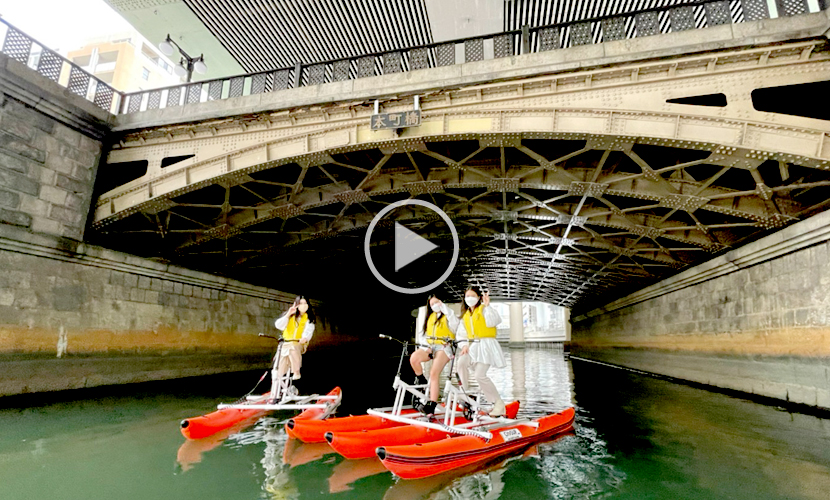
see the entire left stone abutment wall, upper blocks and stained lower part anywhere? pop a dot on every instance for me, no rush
(74, 315)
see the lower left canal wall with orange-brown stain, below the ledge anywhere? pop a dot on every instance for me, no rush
(75, 316)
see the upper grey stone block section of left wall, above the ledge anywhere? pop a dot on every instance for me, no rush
(50, 148)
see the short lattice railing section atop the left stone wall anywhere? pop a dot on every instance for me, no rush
(25, 49)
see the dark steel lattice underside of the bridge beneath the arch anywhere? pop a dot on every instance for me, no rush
(555, 217)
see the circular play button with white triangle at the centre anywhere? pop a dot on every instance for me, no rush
(409, 246)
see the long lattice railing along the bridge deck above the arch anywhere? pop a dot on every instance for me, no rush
(680, 17)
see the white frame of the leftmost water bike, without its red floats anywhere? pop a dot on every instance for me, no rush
(284, 395)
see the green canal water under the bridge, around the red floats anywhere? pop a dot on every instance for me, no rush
(636, 437)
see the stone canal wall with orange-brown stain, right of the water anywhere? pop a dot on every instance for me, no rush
(760, 325)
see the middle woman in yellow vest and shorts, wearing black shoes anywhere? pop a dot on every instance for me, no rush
(434, 337)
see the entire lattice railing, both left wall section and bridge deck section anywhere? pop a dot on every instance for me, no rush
(666, 19)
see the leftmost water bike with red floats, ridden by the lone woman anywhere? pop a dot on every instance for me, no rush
(282, 396)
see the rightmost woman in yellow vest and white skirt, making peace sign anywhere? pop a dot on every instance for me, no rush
(481, 349)
